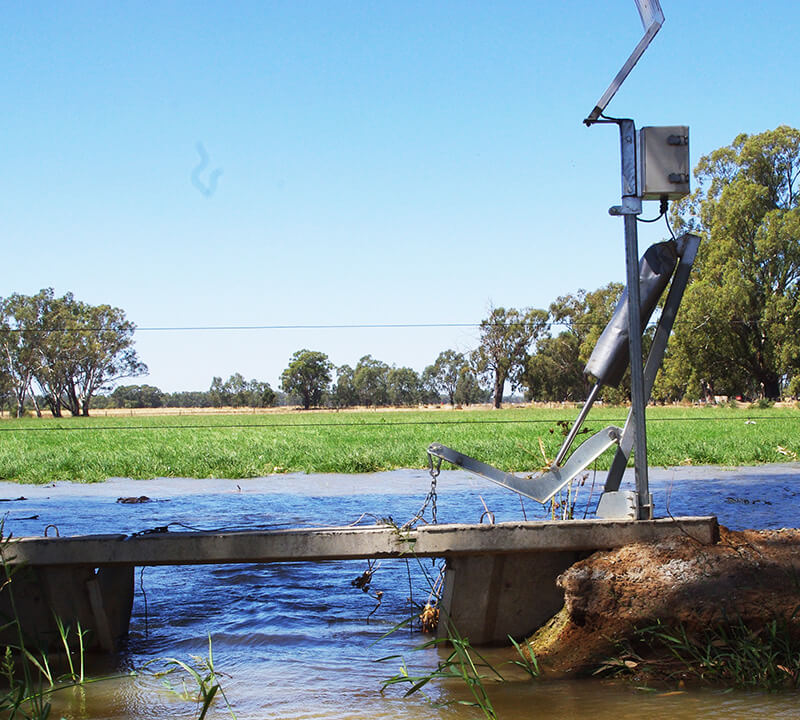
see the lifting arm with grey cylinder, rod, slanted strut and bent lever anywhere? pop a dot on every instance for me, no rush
(607, 364)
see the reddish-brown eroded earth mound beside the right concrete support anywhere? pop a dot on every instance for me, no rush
(749, 575)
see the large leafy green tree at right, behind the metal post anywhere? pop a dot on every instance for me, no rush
(739, 325)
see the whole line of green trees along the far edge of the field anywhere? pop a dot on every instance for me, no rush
(737, 334)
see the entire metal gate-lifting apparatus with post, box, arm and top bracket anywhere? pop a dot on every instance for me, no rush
(655, 166)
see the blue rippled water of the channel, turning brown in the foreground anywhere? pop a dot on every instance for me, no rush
(299, 640)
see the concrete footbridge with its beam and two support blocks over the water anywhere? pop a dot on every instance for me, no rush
(500, 579)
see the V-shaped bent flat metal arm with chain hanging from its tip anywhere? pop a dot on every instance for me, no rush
(543, 486)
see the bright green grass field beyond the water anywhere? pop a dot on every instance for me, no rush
(251, 445)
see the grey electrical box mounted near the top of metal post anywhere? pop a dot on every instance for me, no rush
(663, 171)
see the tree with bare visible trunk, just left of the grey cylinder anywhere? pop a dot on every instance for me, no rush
(506, 336)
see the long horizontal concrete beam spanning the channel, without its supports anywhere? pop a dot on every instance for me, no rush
(347, 543)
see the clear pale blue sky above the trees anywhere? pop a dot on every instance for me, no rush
(382, 162)
